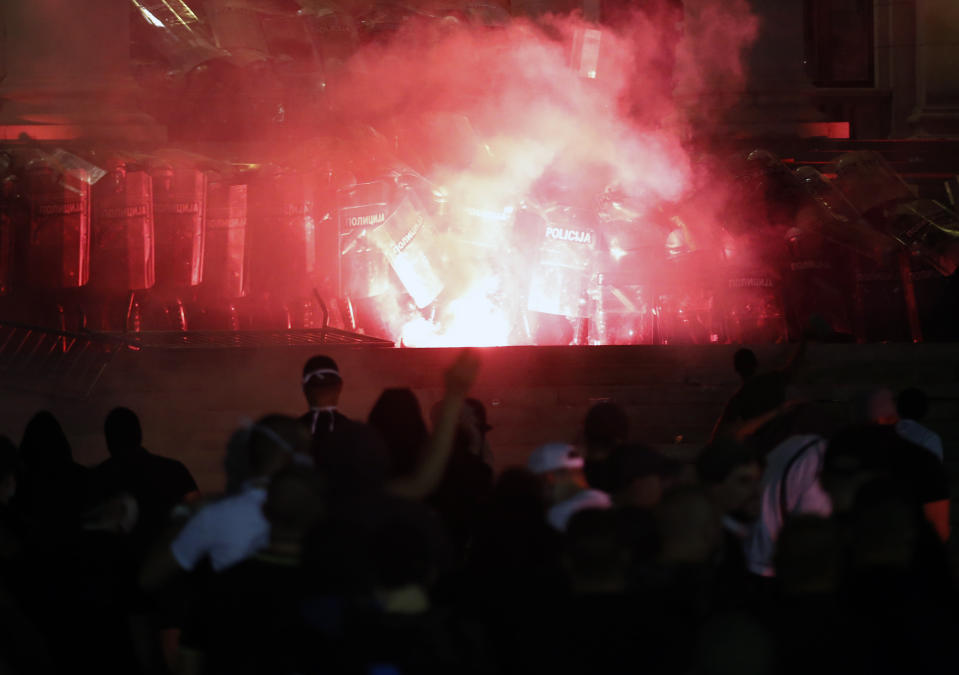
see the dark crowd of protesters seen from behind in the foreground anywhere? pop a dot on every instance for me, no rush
(801, 539)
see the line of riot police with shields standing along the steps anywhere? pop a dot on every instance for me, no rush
(167, 242)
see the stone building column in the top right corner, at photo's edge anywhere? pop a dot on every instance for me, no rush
(937, 80)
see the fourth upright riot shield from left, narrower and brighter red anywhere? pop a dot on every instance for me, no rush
(225, 254)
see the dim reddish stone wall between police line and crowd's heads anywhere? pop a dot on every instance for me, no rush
(191, 400)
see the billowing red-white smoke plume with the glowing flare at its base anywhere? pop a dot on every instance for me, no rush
(489, 113)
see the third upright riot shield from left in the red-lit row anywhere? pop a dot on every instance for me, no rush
(179, 207)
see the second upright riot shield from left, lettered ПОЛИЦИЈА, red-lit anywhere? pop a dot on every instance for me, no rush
(123, 231)
